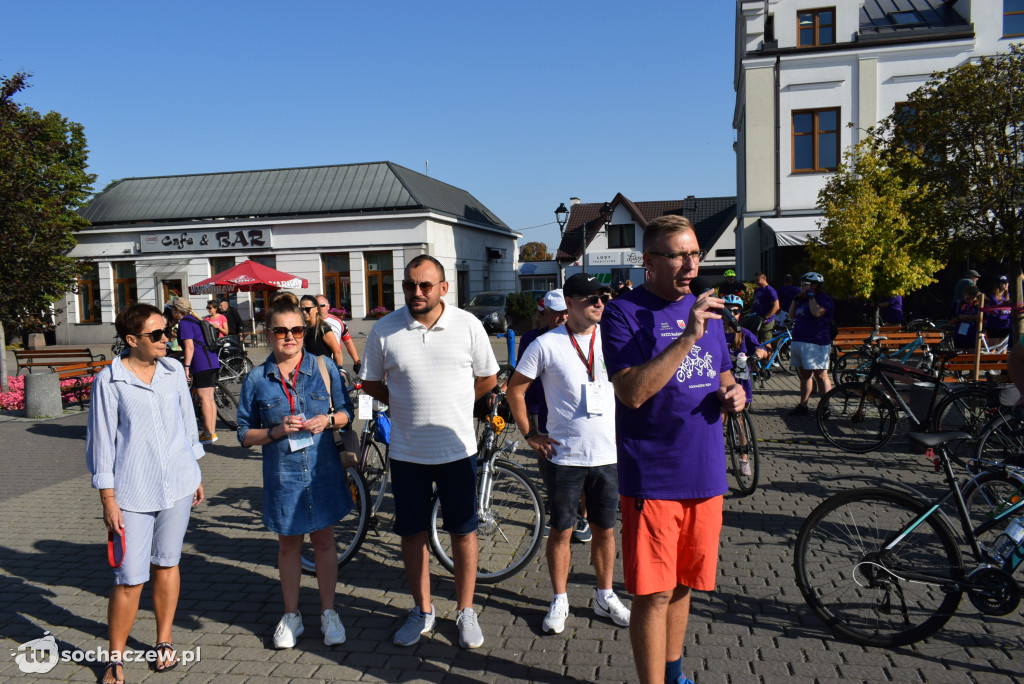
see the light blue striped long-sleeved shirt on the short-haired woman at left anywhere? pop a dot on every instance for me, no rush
(143, 441)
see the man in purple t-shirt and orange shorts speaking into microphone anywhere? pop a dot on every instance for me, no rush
(666, 355)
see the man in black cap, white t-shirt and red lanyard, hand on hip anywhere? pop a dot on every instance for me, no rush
(580, 444)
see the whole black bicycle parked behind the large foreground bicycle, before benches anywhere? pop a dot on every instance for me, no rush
(862, 417)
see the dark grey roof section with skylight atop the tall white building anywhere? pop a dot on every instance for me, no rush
(888, 19)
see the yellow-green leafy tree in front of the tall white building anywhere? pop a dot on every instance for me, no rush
(870, 247)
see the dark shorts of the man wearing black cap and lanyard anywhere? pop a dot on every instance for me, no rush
(601, 484)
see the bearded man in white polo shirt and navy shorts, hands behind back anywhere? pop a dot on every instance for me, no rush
(437, 361)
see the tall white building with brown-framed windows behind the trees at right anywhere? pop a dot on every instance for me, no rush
(807, 70)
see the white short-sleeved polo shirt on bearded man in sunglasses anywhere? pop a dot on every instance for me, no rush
(432, 378)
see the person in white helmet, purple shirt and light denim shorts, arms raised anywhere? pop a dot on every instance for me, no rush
(813, 313)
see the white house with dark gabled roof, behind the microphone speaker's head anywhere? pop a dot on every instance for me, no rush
(615, 241)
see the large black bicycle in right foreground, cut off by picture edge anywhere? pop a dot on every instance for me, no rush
(883, 568)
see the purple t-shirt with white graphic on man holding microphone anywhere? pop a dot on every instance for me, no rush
(671, 447)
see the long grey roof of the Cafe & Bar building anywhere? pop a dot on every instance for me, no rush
(348, 189)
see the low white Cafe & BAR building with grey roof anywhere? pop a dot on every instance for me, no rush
(350, 230)
